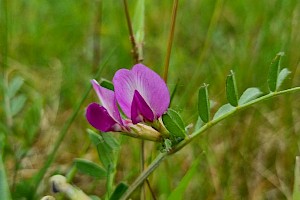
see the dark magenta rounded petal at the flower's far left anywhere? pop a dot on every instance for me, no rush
(99, 118)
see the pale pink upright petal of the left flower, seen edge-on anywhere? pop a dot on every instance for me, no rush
(108, 101)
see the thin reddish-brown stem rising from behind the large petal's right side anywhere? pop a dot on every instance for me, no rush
(170, 40)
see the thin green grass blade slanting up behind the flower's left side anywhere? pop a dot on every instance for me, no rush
(50, 158)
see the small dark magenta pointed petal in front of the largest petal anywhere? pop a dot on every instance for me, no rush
(140, 109)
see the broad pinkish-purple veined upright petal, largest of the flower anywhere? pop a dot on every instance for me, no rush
(150, 85)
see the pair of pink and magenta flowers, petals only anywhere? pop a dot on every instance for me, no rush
(141, 94)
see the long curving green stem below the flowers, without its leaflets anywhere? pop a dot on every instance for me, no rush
(191, 137)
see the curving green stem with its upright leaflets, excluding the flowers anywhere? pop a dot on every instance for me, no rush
(250, 97)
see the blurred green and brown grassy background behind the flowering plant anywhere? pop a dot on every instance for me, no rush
(57, 46)
